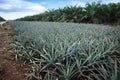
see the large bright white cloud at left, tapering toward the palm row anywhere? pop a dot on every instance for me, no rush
(12, 9)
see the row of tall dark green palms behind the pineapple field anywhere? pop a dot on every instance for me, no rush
(91, 13)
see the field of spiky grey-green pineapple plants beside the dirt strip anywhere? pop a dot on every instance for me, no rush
(67, 51)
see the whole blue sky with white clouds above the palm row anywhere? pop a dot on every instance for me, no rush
(13, 9)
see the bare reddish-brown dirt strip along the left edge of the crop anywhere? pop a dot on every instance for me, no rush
(12, 70)
